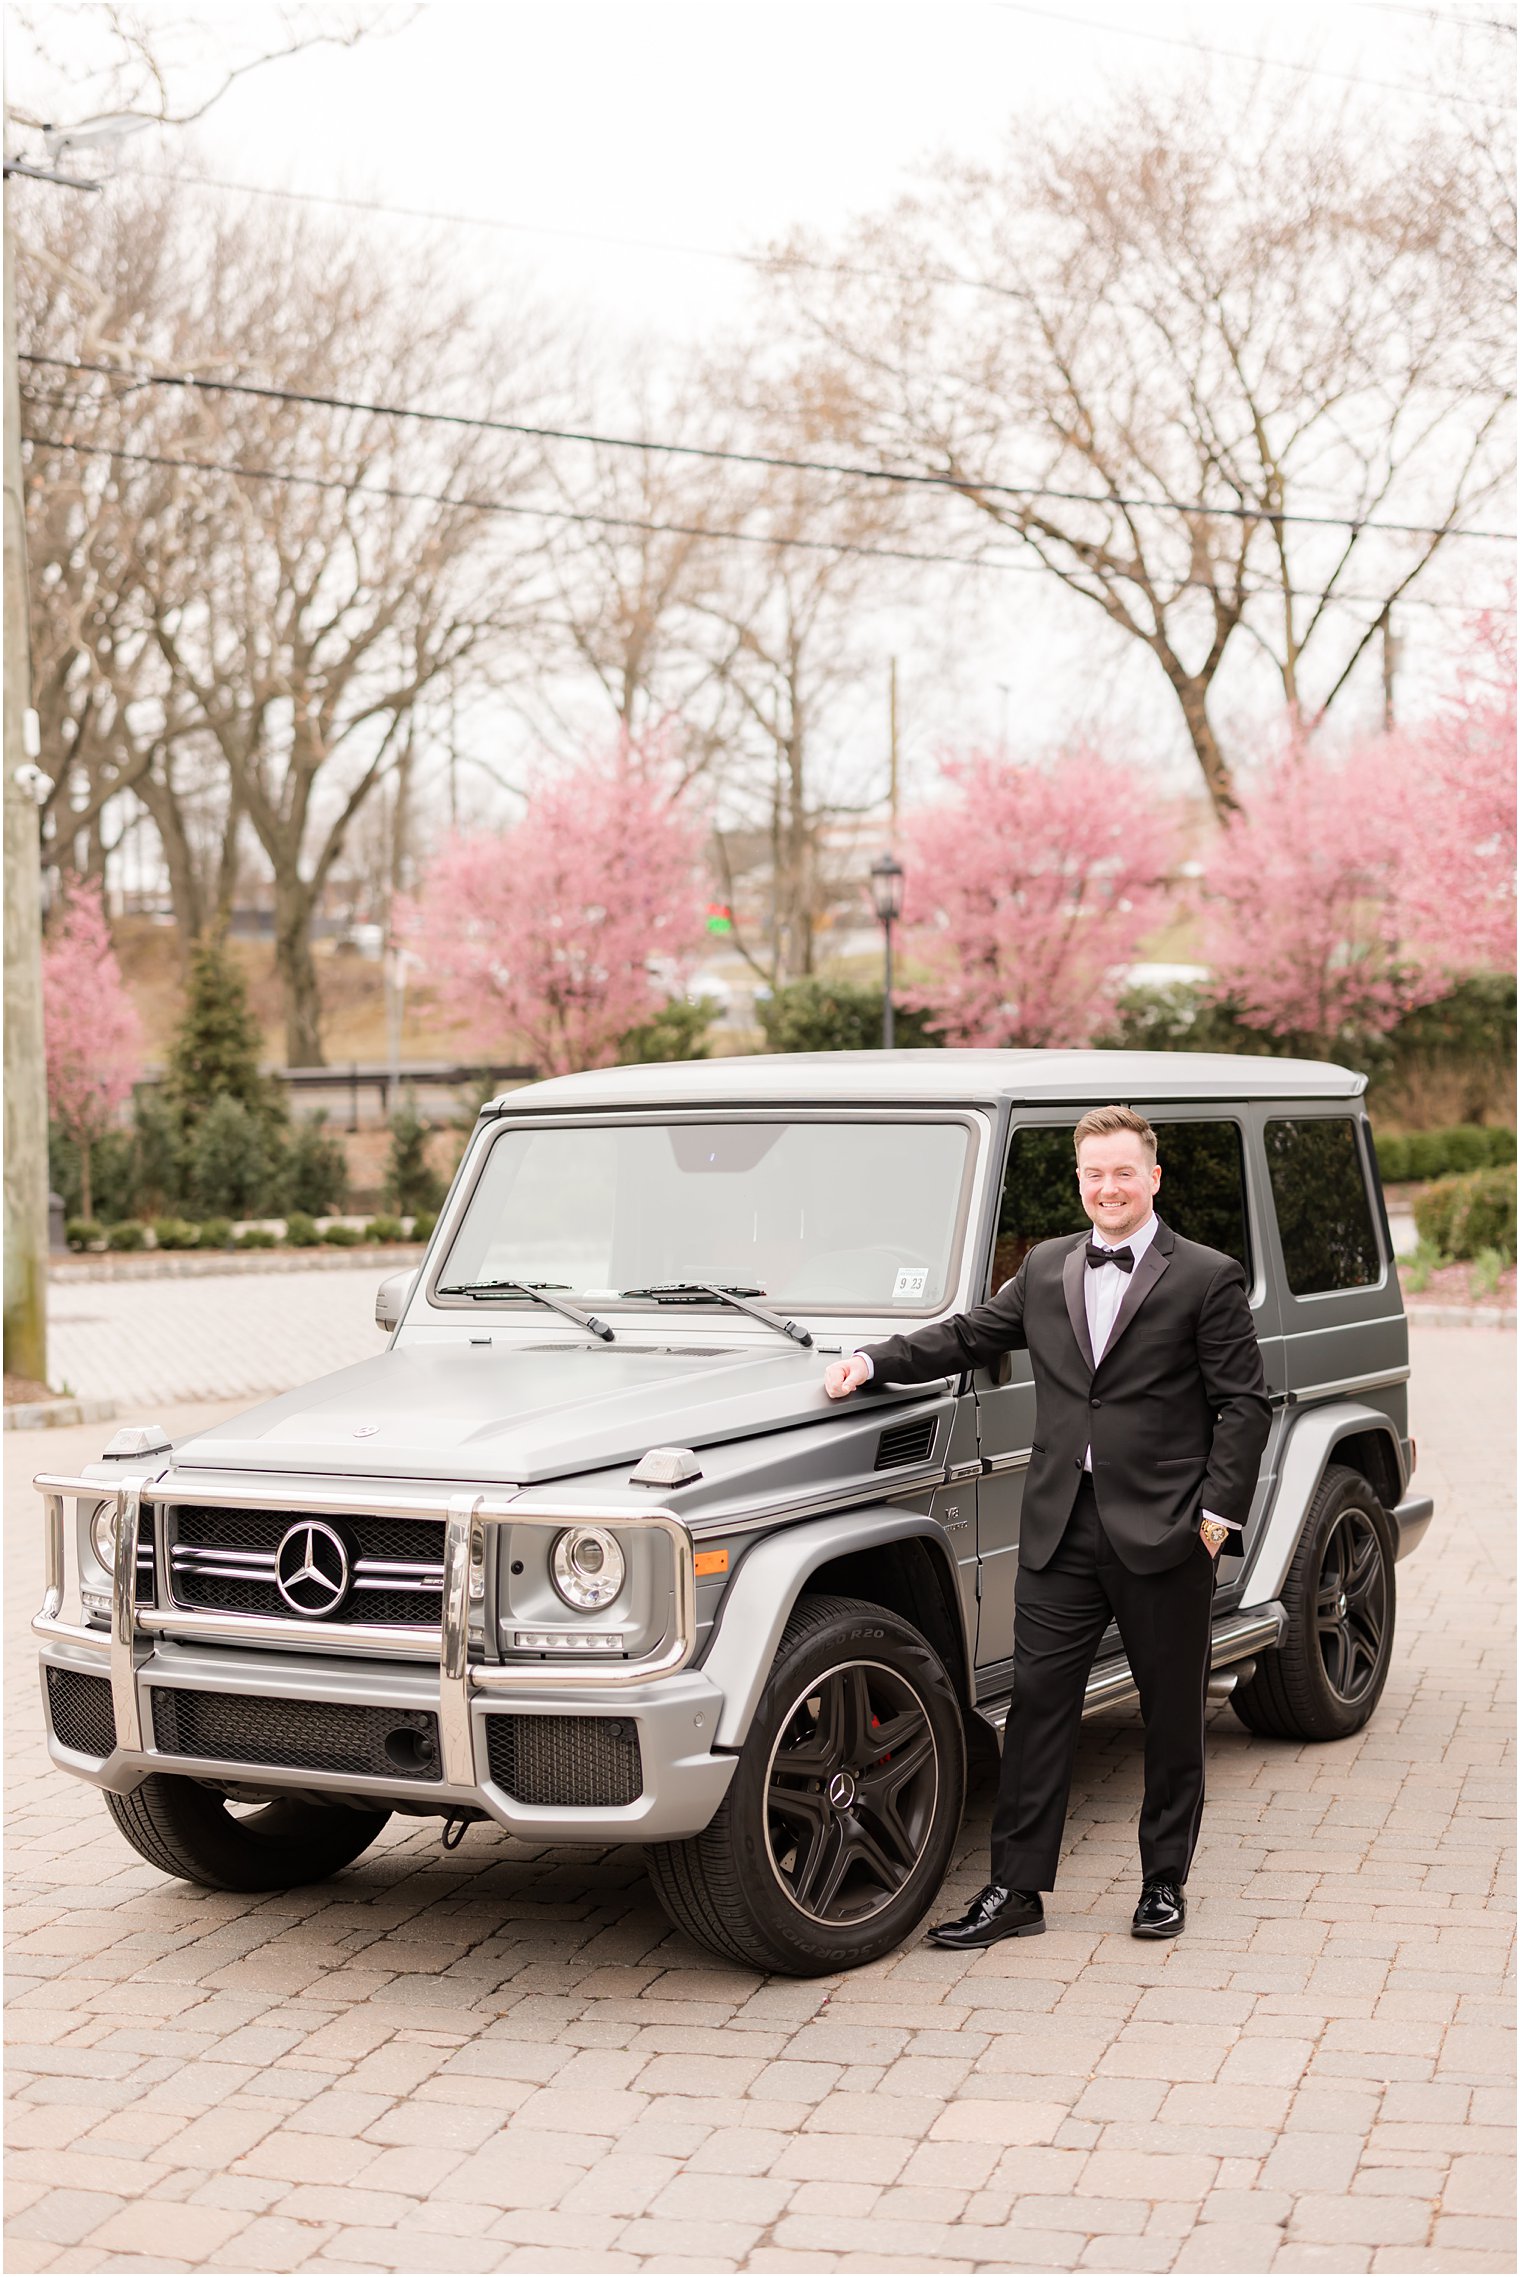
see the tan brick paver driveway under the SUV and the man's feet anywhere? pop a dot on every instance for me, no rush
(506, 2060)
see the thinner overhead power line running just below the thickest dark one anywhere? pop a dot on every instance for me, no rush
(672, 529)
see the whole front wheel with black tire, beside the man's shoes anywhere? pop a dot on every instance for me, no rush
(841, 1818)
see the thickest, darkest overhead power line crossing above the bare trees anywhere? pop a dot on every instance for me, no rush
(964, 486)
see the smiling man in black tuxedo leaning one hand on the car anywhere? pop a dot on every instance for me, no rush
(1150, 1417)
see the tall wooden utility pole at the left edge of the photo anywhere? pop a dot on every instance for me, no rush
(26, 1087)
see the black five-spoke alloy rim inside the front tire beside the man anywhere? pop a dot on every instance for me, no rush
(852, 1793)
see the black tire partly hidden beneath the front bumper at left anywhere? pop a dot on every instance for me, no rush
(190, 1832)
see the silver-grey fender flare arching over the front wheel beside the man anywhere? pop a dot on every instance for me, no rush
(763, 1593)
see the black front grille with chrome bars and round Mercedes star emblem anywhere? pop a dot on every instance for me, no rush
(224, 1561)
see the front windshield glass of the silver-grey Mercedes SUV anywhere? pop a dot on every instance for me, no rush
(836, 1217)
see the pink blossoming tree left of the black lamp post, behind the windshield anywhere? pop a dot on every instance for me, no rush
(543, 937)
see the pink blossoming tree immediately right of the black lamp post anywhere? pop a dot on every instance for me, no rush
(1030, 891)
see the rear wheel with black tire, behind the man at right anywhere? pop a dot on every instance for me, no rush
(1328, 1675)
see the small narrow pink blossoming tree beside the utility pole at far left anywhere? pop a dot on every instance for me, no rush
(92, 1035)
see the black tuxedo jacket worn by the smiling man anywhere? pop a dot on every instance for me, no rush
(1175, 1413)
